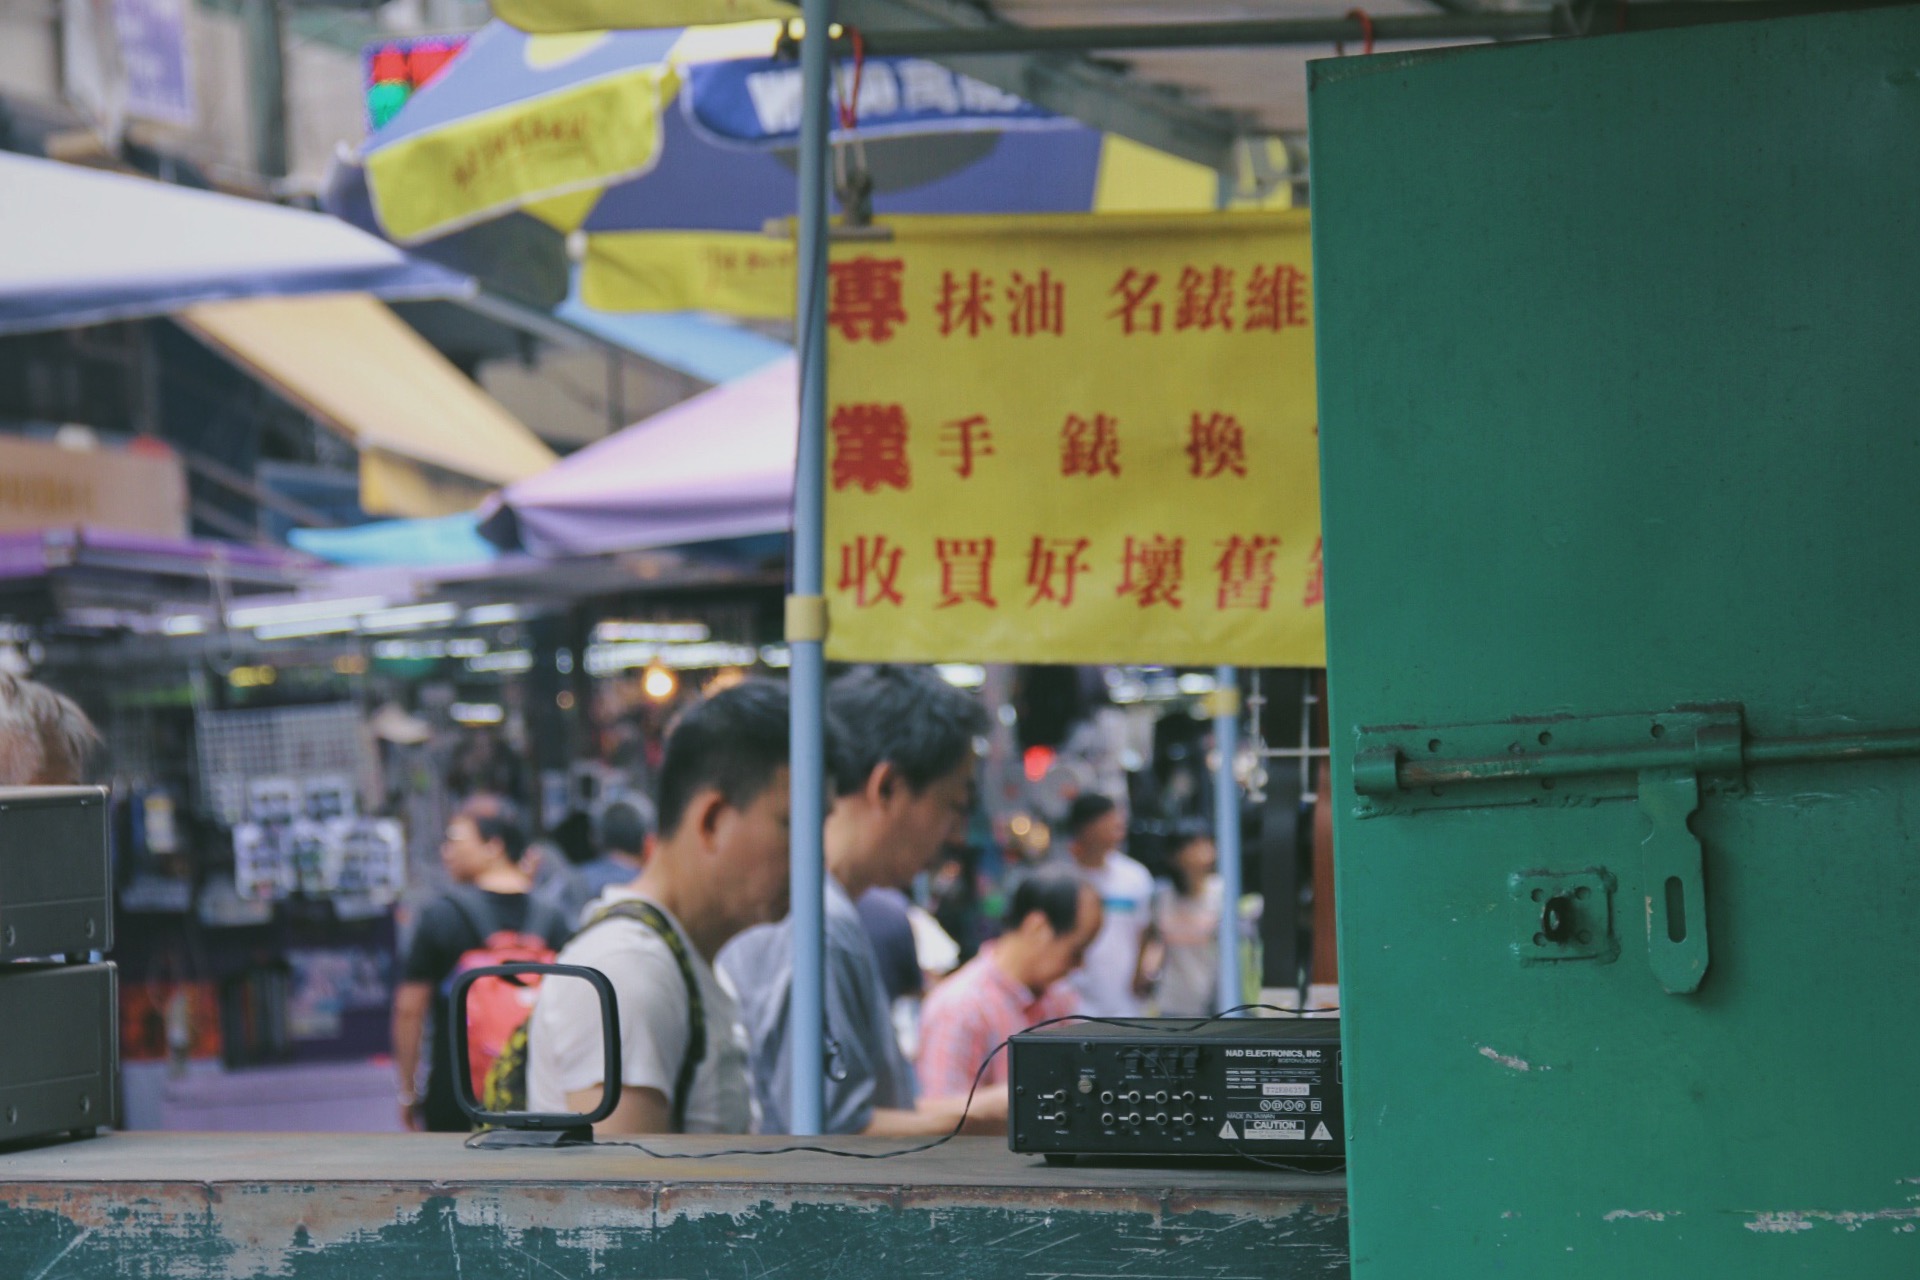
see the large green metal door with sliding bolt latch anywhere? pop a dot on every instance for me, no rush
(1620, 373)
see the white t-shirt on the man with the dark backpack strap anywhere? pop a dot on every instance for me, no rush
(565, 1033)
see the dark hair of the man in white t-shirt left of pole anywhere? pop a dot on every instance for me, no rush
(732, 742)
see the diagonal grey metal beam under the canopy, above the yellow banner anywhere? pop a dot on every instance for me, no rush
(1061, 82)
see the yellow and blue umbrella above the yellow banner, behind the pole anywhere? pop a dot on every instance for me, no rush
(671, 153)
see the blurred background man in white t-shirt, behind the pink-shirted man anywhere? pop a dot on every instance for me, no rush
(1115, 978)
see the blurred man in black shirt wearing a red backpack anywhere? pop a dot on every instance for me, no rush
(483, 853)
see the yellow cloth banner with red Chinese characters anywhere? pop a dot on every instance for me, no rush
(1074, 440)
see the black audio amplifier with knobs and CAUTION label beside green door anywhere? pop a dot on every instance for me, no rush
(1264, 1087)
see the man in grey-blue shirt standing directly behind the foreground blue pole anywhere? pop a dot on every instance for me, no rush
(905, 790)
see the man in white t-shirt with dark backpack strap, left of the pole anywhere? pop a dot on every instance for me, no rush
(719, 866)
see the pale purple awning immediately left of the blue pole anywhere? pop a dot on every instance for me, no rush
(715, 467)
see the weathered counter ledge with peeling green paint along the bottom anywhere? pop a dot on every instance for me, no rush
(425, 1208)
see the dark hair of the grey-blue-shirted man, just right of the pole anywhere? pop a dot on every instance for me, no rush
(905, 717)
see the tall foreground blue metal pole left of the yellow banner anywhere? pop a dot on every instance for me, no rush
(807, 676)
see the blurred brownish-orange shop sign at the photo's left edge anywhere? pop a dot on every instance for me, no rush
(51, 486)
